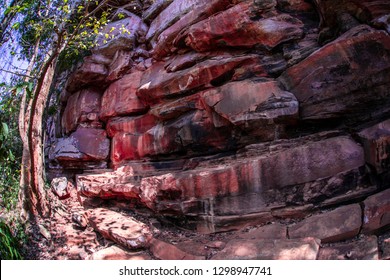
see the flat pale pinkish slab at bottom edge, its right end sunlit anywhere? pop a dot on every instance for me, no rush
(293, 249)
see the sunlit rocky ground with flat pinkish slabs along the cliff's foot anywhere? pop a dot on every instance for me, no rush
(109, 232)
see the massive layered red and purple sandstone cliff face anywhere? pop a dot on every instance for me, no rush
(225, 113)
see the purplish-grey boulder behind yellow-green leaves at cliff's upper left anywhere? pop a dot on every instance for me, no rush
(120, 35)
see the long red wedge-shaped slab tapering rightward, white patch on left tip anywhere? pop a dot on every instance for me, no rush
(157, 84)
